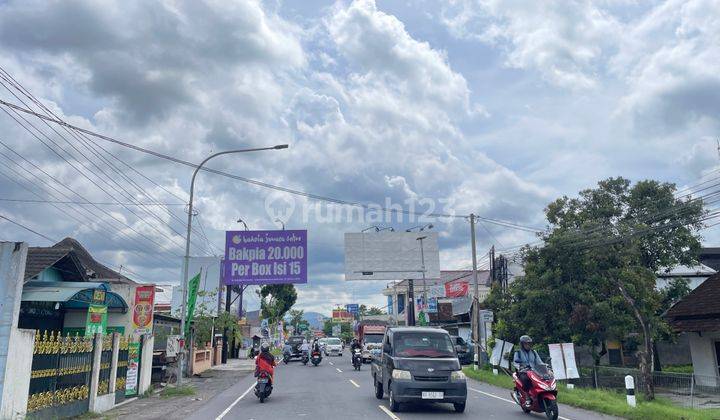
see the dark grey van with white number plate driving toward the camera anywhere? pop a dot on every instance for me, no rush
(419, 364)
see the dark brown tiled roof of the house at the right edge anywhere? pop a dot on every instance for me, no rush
(700, 310)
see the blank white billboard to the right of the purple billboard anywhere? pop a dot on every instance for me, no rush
(391, 256)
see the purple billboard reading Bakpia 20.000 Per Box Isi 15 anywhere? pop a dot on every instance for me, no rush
(265, 257)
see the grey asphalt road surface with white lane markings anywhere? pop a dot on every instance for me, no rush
(333, 390)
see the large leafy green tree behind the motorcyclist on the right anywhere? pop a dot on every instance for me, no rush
(594, 276)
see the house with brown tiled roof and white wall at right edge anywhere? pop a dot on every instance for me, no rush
(698, 316)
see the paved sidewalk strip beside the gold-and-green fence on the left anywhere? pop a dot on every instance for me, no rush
(207, 385)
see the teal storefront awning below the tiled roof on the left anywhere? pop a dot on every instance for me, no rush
(74, 295)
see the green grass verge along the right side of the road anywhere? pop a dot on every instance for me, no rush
(607, 401)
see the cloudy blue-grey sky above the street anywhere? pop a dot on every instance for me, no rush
(492, 107)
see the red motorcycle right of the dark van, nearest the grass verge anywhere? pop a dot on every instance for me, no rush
(543, 391)
